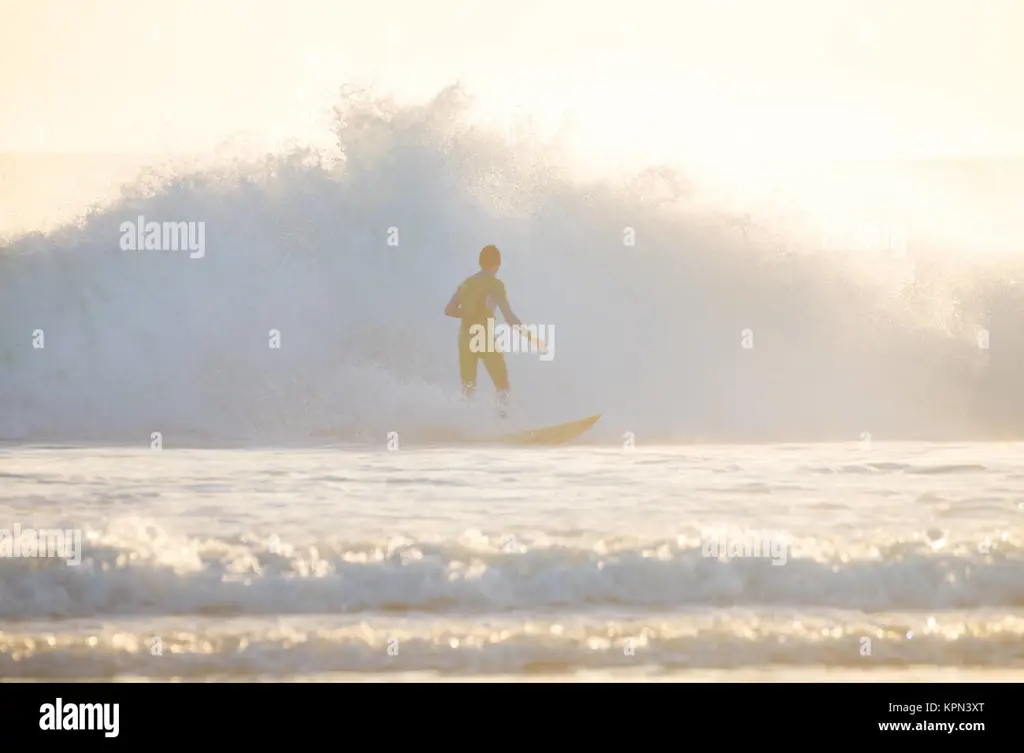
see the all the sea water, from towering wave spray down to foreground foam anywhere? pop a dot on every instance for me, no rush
(252, 512)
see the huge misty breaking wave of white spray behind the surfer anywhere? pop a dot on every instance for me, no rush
(653, 334)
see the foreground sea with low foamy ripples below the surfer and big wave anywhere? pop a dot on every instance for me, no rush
(585, 563)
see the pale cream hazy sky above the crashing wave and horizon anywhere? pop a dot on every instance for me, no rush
(715, 79)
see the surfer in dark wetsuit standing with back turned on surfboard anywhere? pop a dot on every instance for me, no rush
(475, 304)
